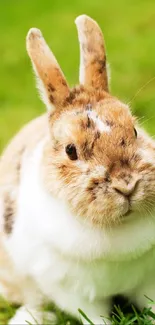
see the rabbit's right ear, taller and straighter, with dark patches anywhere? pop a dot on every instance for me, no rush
(93, 71)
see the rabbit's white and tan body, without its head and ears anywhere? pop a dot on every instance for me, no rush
(57, 251)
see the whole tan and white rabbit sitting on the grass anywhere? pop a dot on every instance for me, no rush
(77, 194)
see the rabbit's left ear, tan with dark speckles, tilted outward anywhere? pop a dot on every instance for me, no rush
(51, 81)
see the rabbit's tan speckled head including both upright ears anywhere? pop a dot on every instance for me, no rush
(97, 159)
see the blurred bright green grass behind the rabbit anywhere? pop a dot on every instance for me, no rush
(129, 31)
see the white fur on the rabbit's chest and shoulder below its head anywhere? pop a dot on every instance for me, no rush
(66, 256)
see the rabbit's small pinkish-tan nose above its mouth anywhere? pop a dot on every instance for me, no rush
(123, 187)
